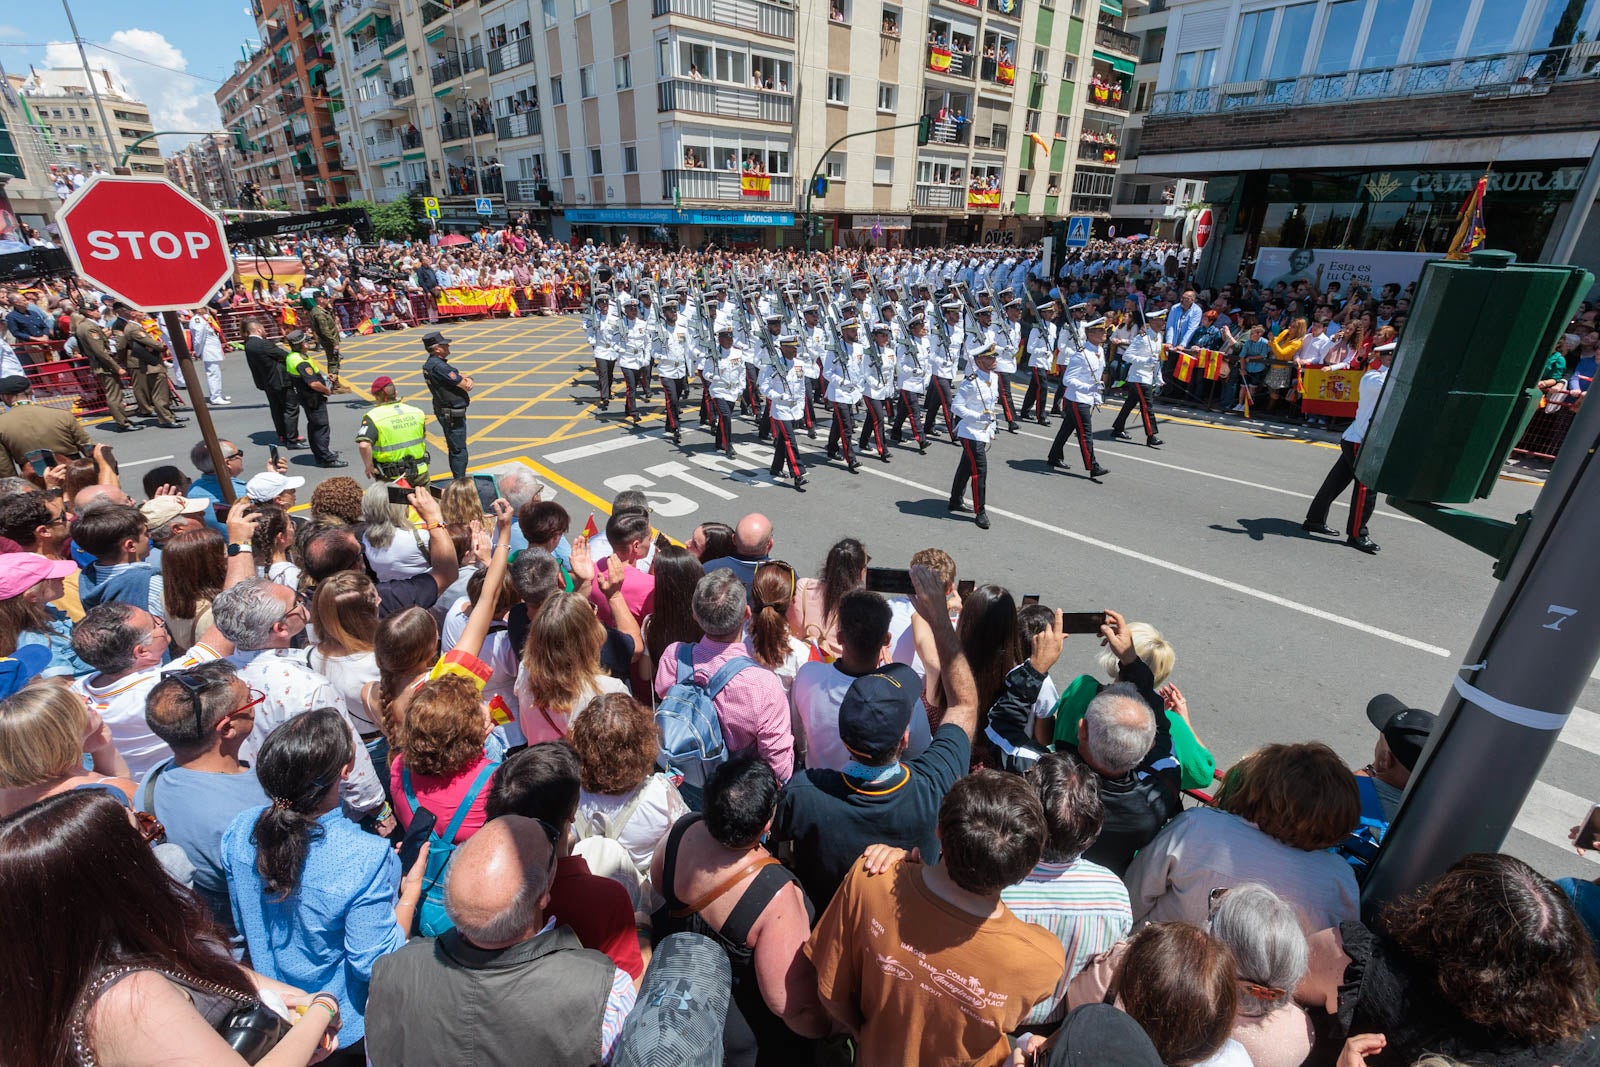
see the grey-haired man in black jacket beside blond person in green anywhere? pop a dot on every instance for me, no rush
(1140, 796)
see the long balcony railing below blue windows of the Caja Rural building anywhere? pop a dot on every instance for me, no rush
(1484, 78)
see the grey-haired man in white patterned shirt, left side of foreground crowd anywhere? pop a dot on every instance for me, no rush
(262, 620)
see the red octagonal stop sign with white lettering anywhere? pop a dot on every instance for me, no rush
(146, 242)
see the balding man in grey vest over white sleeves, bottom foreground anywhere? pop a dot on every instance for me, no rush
(534, 993)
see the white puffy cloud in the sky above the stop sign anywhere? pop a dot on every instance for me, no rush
(175, 102)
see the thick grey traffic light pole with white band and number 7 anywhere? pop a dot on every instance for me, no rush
(1519, 682)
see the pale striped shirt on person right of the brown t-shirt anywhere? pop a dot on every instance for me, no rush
(1081, 903)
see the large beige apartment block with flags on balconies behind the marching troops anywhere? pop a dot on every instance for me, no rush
(703, 121)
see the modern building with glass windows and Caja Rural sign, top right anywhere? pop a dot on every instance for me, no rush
(1340, 127)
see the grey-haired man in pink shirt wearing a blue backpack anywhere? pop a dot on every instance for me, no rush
(753, 706)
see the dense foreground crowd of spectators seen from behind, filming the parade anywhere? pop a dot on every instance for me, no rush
(375, 783)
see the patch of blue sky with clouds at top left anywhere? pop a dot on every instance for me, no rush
(174, 54)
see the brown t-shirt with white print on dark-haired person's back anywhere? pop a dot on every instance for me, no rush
(930, 983)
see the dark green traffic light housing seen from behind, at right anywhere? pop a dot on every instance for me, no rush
(1465, 378)
